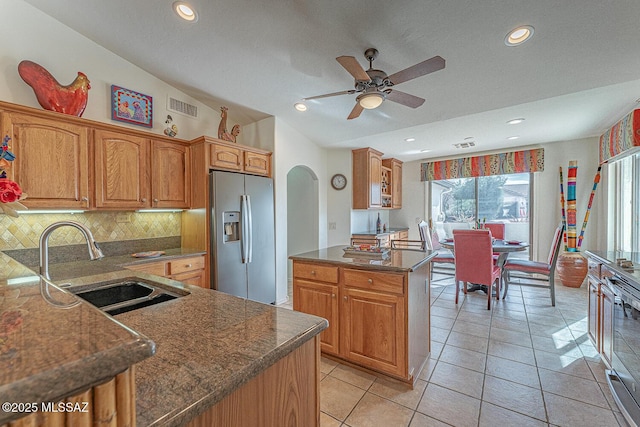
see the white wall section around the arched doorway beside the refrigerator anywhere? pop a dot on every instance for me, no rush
(294, 149)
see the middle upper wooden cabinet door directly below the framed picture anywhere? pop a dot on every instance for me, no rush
(121, 170)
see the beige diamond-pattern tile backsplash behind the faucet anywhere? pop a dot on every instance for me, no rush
(24, 232)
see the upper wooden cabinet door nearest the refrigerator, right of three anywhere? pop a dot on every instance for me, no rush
(170, 175)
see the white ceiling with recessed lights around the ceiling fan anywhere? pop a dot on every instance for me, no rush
(577, 76)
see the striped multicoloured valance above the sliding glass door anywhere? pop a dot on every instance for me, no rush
(491, 164)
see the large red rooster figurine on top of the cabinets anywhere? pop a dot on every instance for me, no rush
(51, 95)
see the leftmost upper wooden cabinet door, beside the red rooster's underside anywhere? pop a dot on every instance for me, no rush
(52, 161)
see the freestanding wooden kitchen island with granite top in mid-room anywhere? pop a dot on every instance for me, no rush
(378, 308)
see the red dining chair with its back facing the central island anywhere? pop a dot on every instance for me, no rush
(474, 261)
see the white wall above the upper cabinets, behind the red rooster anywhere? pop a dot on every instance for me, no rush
(27, 33)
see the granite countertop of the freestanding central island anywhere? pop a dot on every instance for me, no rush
(398, 260)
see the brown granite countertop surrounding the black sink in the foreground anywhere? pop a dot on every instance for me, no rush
(207, 343)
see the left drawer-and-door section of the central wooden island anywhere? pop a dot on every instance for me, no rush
(315, 292)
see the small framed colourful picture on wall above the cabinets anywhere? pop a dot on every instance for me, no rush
(131, 107)
